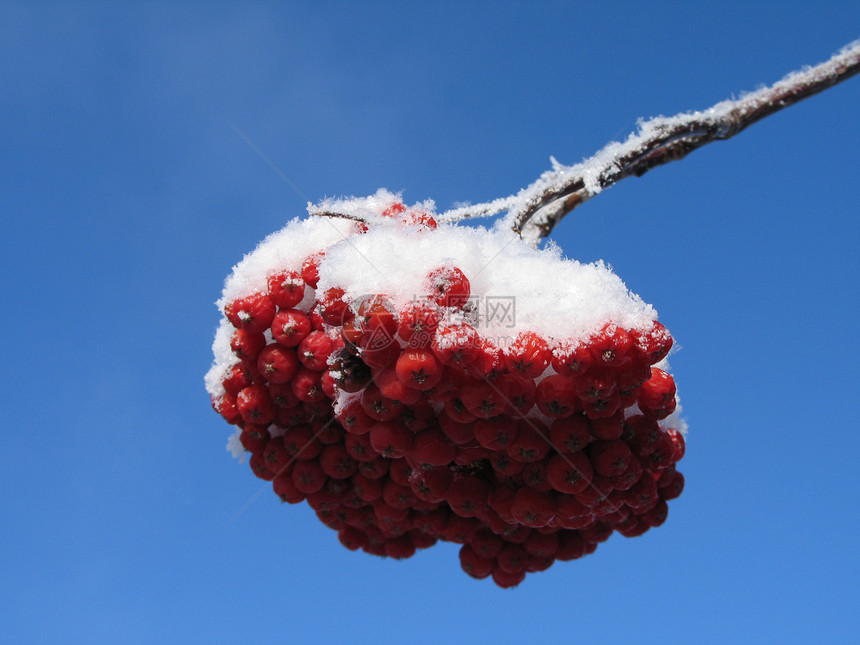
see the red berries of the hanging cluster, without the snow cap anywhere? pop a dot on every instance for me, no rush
(431, 438)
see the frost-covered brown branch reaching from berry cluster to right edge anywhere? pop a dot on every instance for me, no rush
(535, 210)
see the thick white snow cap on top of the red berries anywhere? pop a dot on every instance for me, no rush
(514, 286)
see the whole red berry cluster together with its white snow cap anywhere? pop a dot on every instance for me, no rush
(416, 382)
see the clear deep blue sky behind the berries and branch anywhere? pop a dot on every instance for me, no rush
(127, 195)
